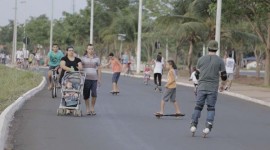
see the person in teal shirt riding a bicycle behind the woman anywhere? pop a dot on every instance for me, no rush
(53, 60)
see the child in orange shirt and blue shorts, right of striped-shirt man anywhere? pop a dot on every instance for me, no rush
(116, 69)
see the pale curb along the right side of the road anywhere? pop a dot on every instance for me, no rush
(243, 97)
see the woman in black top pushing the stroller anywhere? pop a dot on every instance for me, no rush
(69, 62)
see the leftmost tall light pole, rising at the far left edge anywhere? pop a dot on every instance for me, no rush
(15, 35)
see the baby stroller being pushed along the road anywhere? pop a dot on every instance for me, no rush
(71, 90)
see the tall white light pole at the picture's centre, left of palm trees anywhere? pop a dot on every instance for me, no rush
(139, 37)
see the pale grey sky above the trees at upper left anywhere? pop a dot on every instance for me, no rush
(35, 8)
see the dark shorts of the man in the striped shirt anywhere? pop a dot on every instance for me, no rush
(90, 86)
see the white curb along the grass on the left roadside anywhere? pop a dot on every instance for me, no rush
(8, 114)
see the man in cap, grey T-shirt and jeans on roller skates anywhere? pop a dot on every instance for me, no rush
(209, 67)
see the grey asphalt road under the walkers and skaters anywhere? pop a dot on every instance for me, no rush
(126, 122)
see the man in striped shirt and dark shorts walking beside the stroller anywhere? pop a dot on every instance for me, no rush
(91, 66)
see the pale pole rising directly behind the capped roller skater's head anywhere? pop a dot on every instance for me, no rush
(218, 25)
